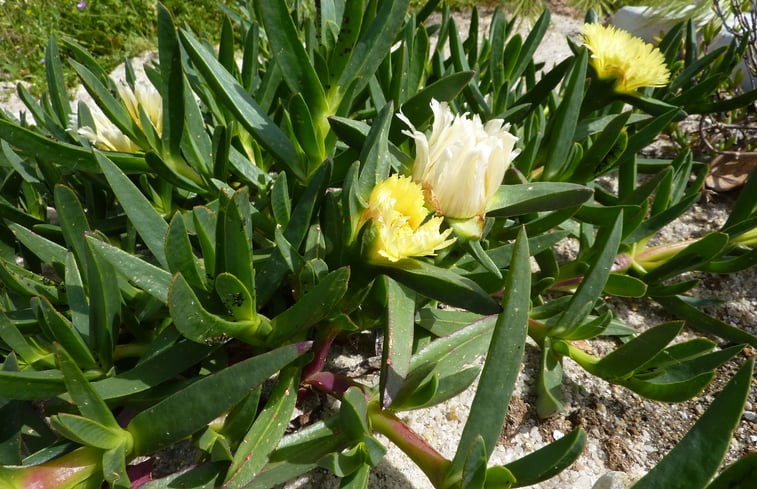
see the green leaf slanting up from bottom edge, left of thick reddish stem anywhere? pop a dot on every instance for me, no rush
(265, 433)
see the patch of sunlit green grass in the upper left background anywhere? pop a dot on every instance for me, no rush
(111, 30)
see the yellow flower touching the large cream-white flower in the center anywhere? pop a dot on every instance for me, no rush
(400, 227)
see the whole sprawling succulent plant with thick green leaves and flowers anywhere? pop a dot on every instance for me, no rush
(178, 258)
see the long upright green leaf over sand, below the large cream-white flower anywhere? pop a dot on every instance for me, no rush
(502, 366)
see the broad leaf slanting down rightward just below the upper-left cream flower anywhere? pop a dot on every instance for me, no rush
(149, 224)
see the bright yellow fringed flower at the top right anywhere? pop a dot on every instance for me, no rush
(626, 58)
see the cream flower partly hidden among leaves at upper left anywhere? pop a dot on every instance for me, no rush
(106, 135)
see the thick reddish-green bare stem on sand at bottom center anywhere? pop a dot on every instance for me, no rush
(431, 462)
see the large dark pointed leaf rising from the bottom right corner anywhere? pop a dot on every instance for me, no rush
(695, 459)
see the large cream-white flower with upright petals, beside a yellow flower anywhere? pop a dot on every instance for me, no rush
(461, 165)
